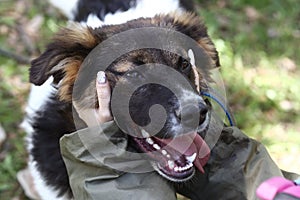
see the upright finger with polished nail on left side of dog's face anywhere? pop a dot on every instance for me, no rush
(104, 94)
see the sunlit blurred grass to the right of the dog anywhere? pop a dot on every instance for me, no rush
(259, 44)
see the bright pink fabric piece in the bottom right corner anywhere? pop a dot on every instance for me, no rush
(268, 189)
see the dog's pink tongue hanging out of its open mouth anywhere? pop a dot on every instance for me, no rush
(188, 145)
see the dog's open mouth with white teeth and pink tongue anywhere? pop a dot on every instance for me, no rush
(176, 158)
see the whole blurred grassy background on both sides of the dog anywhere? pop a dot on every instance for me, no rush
(258, 42)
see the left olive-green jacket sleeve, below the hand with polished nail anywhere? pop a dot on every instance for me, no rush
(99, 167)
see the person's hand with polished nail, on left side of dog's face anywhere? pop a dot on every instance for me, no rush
(94, 117)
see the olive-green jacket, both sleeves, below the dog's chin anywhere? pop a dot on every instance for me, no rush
(235, 169)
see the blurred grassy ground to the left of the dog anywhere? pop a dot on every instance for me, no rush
(14, 83)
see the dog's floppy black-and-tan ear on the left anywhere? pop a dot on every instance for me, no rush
(63, 56)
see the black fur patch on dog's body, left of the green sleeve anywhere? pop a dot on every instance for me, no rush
(50, 124)
